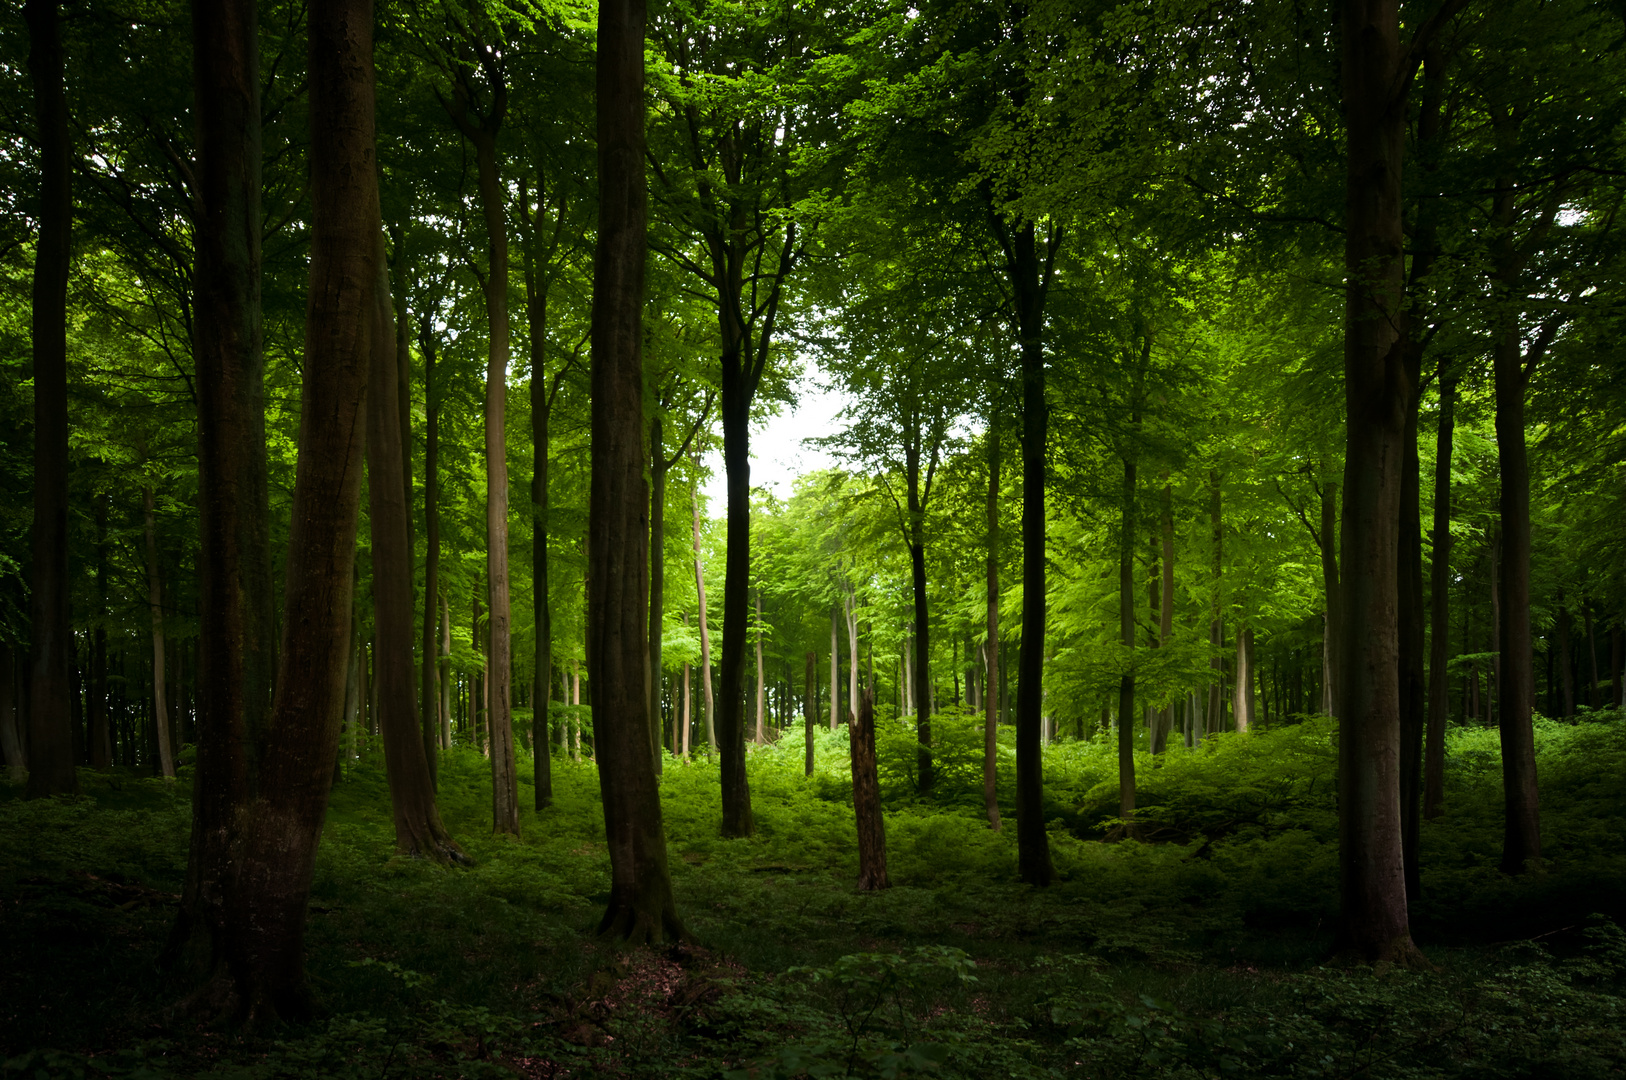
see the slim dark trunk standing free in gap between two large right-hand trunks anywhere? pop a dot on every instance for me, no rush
(1440, 603)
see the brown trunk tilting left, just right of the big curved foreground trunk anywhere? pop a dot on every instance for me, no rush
(419, 830)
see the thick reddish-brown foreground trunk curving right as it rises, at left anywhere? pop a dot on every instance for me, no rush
(277, 853)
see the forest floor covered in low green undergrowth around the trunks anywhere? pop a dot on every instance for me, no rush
(1202, 951)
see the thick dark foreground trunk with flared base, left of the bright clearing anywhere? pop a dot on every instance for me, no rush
(641, 904)
